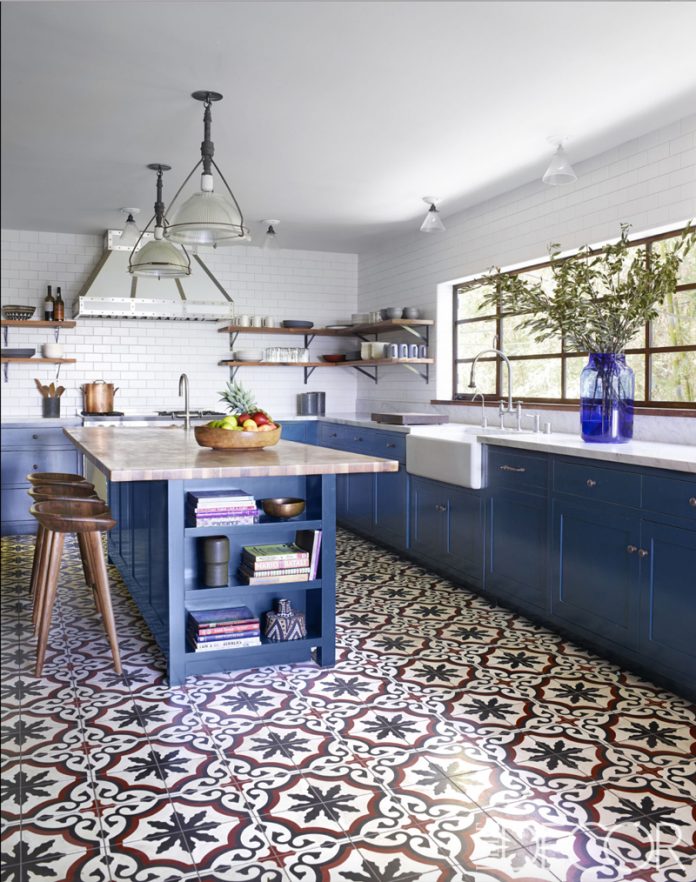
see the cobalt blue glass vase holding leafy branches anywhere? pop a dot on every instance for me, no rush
(606, 399)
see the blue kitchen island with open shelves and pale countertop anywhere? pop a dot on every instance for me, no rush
(156, 546)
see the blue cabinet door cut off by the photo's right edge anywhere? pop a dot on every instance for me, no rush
(667, 631)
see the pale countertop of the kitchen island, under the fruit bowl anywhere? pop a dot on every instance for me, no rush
(161, 454)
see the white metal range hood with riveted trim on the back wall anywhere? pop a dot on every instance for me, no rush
(112, 292)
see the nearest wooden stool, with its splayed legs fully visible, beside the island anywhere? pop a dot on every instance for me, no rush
(81, 516)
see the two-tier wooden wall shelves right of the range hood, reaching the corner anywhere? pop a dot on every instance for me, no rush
(419, 328)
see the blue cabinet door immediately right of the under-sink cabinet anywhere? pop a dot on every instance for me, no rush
(516, 544)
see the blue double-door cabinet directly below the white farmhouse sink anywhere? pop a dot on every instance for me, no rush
(446, 529)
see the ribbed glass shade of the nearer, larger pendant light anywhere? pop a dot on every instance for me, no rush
(207, 218)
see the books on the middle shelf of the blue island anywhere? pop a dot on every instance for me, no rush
(291, 562)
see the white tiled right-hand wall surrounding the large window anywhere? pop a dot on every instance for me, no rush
(648, 182)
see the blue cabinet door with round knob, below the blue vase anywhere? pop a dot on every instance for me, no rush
(595, 569)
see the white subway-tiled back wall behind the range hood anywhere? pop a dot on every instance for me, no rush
(145, 358)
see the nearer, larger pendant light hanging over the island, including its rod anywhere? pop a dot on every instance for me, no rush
(207, 217)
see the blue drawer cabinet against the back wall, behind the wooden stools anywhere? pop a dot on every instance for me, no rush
(28, 449)
